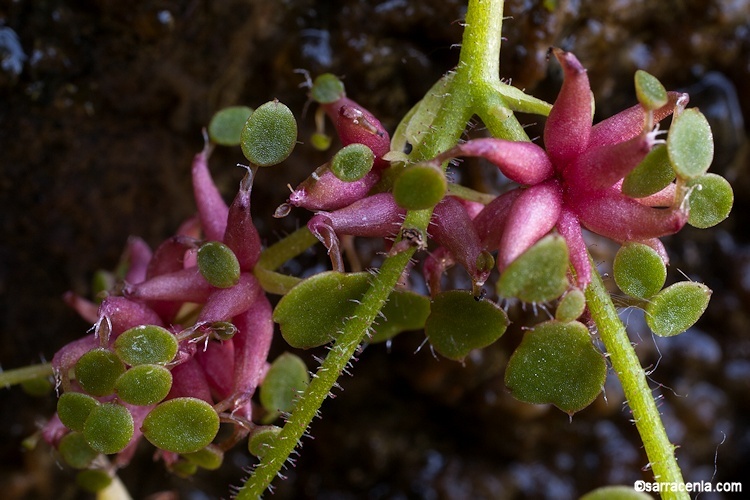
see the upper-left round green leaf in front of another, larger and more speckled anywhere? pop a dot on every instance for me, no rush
(269, 135)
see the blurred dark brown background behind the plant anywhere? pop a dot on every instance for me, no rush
(101, 108)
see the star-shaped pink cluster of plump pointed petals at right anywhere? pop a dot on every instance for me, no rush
(576, 182)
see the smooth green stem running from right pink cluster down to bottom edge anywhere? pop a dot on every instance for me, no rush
(628, 368)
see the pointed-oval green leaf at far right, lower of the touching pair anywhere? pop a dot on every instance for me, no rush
(677, 308)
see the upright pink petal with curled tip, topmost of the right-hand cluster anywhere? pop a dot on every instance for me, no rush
(566, 133)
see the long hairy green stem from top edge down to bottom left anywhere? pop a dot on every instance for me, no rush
(479, 63)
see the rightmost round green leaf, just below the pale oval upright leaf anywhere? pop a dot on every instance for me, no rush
(710, 201)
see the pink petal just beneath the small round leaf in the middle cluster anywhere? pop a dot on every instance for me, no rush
(328, 192)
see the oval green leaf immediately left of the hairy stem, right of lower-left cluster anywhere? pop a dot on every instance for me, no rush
(284, 381)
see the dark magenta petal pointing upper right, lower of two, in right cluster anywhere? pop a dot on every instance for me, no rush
(602, 167)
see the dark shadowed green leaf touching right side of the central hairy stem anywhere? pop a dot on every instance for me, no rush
(404, 311)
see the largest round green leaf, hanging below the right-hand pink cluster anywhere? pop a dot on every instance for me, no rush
(557, 363)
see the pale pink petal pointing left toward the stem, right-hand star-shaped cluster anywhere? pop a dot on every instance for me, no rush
(521, 162)
